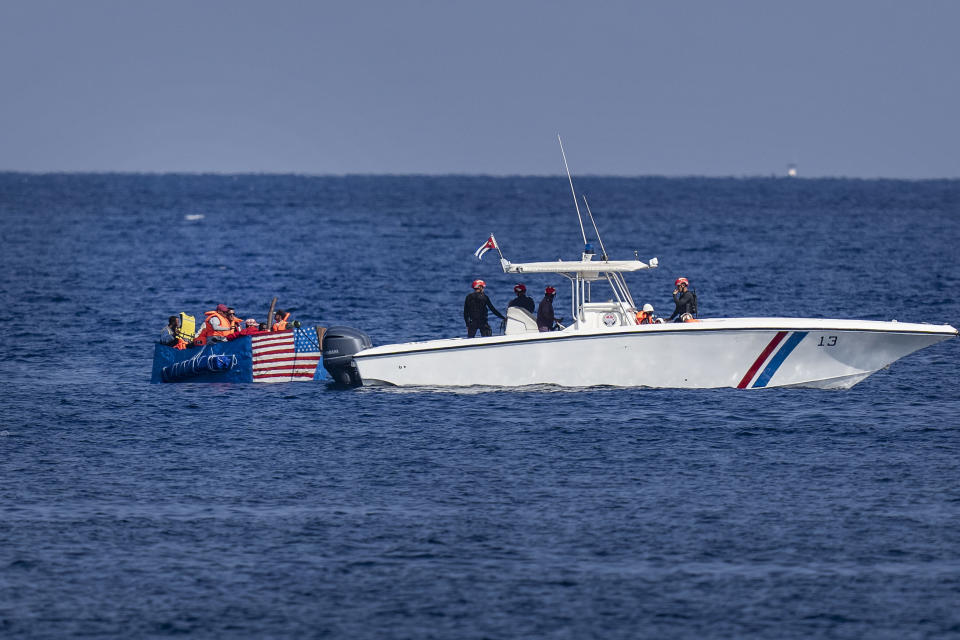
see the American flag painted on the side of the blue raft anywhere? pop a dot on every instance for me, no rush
(285, 356)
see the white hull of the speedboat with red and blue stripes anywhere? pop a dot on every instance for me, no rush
(739, 353)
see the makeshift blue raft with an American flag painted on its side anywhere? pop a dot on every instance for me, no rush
(281, 356)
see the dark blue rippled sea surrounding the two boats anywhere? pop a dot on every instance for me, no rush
(297, 510)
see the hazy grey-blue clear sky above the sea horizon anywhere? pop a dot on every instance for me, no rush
(858, 88)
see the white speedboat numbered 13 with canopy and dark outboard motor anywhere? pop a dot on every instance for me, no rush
(603, 345)
